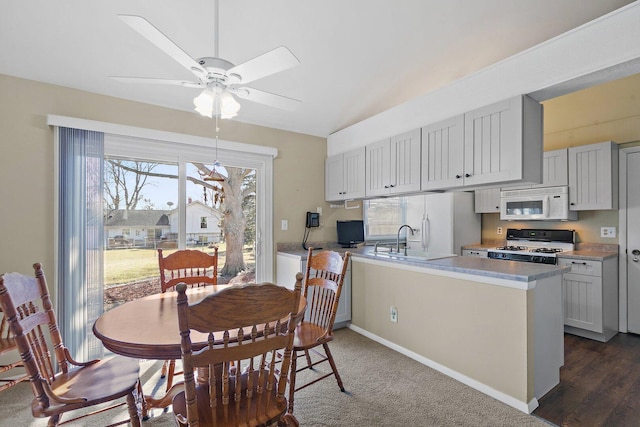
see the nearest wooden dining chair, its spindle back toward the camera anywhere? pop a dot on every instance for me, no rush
(246, 328)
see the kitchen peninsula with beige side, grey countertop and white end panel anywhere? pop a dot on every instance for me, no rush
(496, 326)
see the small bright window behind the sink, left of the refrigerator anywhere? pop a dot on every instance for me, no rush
(383, 217)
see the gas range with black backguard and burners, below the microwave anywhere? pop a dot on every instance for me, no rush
(534, 245)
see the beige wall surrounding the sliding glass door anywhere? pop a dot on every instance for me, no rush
(26, 164)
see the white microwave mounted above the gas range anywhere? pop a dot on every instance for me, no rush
(542, 204)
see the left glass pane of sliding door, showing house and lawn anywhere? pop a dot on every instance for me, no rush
(141, 216)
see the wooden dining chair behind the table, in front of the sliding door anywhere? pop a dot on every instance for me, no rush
(193, 267)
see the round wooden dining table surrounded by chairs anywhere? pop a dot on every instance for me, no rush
(147, 328)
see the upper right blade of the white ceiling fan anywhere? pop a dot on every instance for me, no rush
(274, 61)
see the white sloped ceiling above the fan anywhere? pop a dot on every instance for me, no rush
(358, 57)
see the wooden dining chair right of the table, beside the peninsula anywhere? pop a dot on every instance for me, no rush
(322, 286)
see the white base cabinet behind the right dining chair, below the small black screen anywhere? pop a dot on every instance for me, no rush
(288, 265)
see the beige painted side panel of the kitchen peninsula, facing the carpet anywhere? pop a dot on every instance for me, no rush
(475, 329)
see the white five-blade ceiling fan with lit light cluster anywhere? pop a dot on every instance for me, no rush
(218, 78)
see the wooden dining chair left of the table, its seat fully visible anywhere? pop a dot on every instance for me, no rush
(59, 383)
